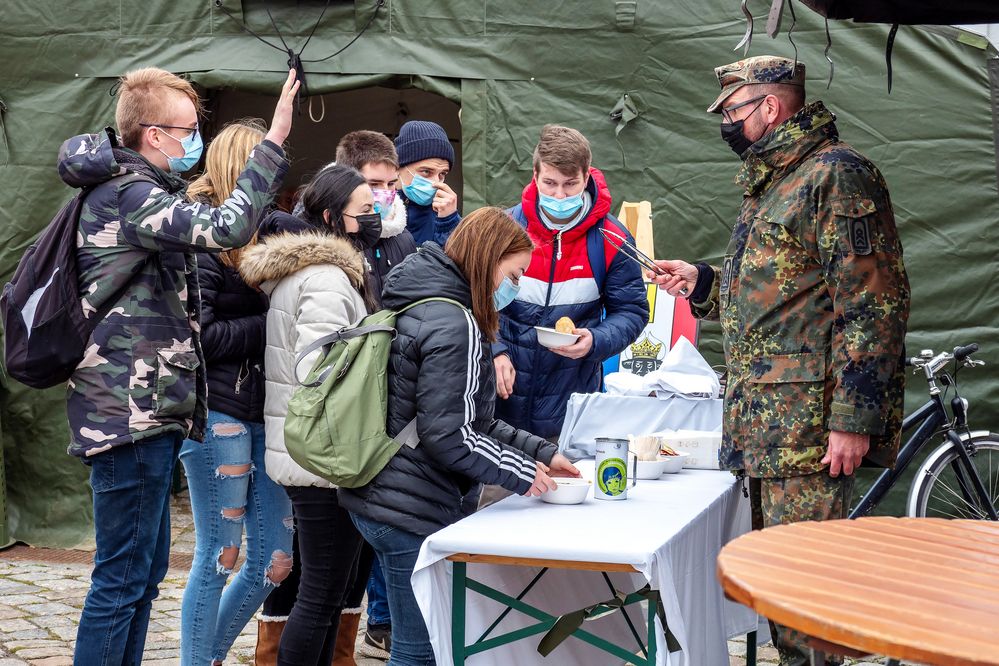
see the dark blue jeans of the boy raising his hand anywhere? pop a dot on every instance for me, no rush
(131, 486)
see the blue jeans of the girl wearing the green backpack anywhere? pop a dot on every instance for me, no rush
(397, 551)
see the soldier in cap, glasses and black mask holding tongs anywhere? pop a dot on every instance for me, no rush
(813, 301)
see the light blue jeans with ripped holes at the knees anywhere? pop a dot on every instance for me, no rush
(229, 490)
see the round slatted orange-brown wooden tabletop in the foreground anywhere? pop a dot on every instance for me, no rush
(920, 589)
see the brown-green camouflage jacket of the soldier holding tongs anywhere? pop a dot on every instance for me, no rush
(813, 301)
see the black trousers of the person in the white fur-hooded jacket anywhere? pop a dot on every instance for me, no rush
(329, 546)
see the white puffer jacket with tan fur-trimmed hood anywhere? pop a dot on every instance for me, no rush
(313, 281)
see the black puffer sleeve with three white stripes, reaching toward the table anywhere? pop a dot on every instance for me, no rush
(450, 361)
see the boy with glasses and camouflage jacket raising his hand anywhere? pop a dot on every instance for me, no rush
(141, 389)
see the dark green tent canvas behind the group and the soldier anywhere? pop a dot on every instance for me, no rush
(514, 66)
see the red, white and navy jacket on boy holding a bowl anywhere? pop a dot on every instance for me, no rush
(575, 274)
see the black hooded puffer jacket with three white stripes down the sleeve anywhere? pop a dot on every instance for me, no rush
(441, 373)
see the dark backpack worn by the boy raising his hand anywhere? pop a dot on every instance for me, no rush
(45, 331)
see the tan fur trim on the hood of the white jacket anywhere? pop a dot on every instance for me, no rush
(287, 253)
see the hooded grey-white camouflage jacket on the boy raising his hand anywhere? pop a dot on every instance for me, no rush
(144, 373)
